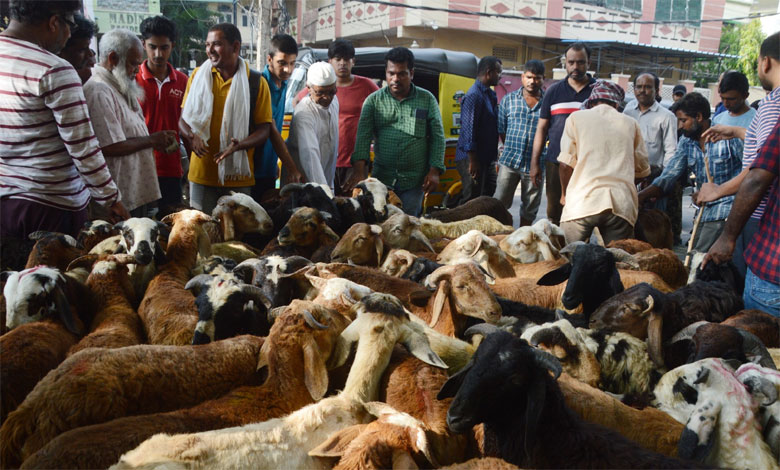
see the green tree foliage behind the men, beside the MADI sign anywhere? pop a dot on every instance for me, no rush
(193, 21)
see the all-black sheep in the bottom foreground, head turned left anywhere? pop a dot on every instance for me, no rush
(507, 386)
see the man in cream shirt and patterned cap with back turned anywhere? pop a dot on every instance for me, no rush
(602, 154)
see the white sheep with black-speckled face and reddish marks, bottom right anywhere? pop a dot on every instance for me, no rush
(722, 430)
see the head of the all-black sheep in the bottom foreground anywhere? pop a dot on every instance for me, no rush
(504, 368)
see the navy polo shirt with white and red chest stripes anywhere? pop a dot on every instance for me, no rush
(560, 100)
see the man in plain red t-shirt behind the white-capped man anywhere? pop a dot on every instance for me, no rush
(351, 91)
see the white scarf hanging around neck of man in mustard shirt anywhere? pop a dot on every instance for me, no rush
(235, 117)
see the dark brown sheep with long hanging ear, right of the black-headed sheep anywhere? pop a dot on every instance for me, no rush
(645, 312)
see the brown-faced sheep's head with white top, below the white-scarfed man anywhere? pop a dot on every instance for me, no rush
(238, 214)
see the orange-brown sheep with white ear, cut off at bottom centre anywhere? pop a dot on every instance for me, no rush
(394, 440)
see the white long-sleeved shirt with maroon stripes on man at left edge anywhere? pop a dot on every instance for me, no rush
(48, 151)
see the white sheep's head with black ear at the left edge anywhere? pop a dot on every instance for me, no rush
(36, 294)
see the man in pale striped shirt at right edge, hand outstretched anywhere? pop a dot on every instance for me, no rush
(755, 136)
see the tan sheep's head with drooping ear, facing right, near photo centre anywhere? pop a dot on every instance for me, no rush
(465, 287)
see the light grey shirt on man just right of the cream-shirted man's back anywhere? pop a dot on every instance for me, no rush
(659, 130)
